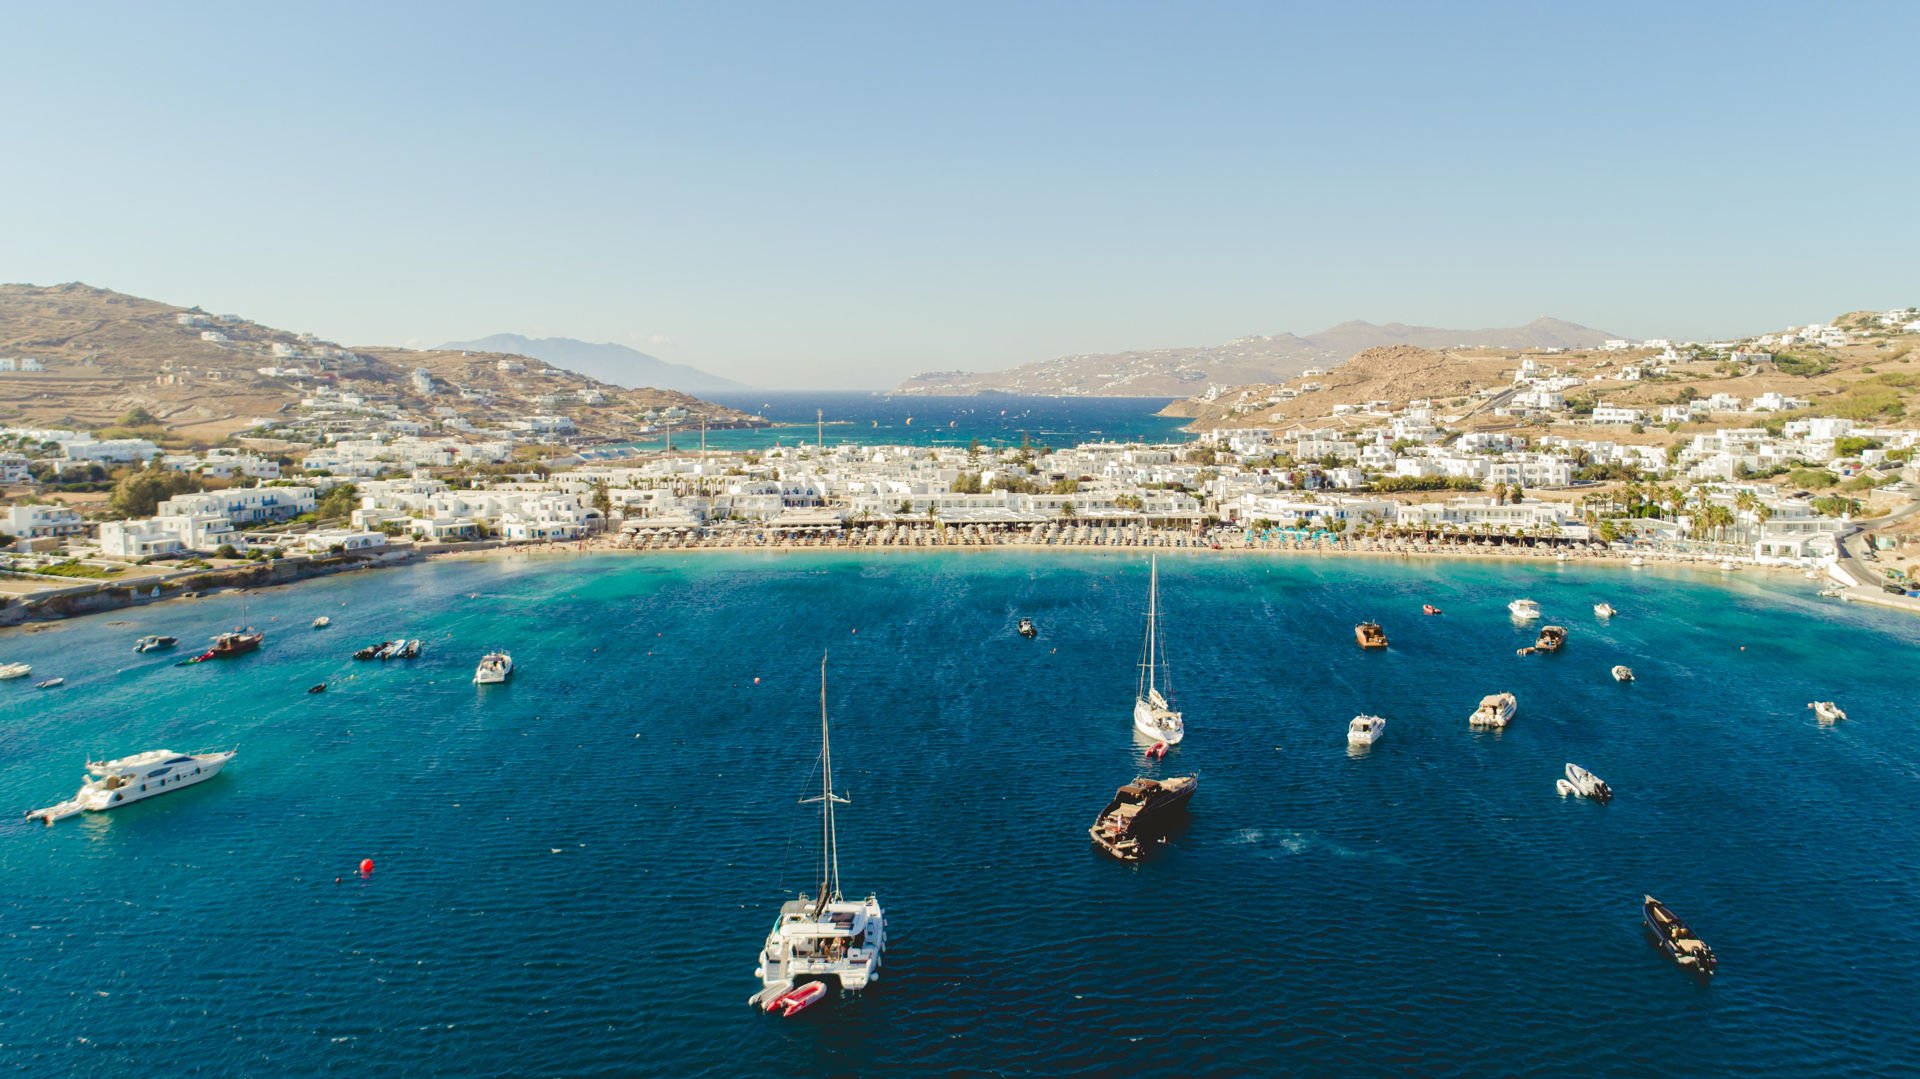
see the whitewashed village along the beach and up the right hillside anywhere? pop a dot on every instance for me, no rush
(1760, 452)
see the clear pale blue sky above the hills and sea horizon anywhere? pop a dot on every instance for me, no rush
(842, 195)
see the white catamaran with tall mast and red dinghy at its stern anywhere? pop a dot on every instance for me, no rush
(823, 938)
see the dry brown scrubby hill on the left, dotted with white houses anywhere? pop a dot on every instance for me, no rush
(108, 354)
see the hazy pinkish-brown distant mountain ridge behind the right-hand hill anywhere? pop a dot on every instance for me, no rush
(1186, 372)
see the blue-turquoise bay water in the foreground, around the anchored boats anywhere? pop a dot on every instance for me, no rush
(558, 896)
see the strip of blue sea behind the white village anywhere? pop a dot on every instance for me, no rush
(871, 420)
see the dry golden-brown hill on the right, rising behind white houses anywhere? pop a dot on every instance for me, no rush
(1871, 383)
